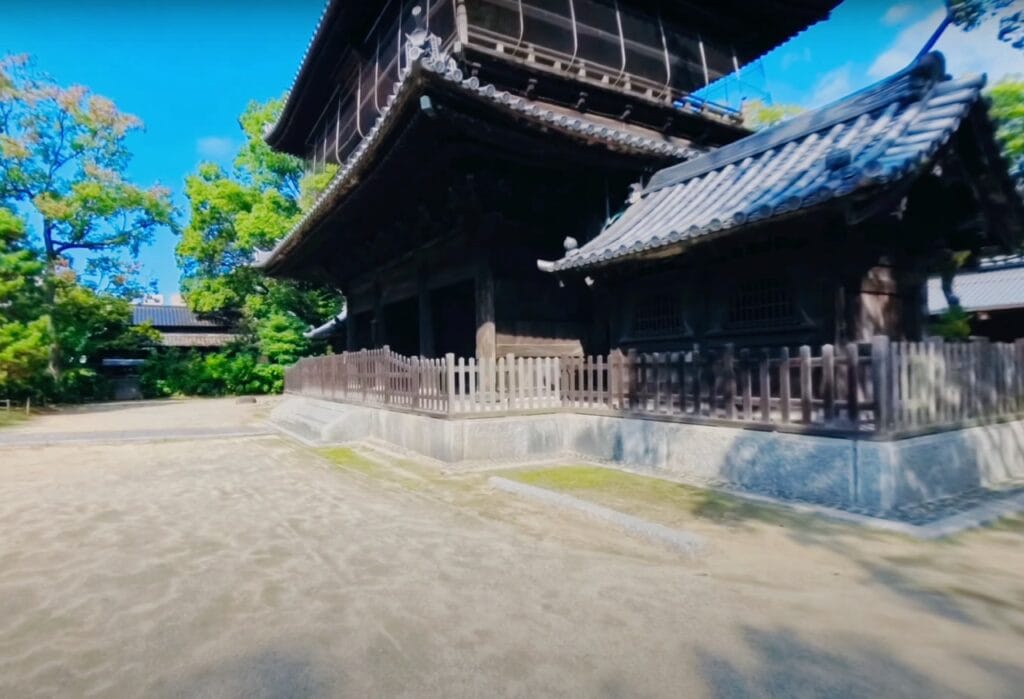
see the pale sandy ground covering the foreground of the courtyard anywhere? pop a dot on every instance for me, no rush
(258, 569)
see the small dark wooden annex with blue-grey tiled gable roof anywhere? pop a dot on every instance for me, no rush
(821, 230)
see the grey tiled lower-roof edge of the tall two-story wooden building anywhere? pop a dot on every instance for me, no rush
(429, 62)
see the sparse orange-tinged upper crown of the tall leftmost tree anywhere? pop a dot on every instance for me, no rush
(64, 155)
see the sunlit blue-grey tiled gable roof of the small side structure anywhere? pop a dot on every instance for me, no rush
(881, 135)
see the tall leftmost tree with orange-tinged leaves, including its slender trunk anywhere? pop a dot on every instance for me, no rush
(63, 161)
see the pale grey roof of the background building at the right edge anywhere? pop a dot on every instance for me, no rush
(996, 285)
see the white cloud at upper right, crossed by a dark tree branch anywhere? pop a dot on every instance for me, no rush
(966, 53)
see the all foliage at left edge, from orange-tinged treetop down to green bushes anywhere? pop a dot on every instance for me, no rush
(63, 162)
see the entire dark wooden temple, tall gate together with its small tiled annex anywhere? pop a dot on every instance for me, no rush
(485, 150)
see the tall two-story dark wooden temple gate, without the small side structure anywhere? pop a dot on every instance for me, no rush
(475, 138)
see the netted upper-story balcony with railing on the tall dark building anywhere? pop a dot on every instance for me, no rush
(607, 43)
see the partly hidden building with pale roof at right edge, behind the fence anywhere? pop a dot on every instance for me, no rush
(993, 294)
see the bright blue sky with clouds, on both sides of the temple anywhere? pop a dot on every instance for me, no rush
(188, 68)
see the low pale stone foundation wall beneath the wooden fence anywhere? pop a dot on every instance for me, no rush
(878, 475)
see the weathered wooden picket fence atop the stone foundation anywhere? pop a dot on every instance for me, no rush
(882, 386)
